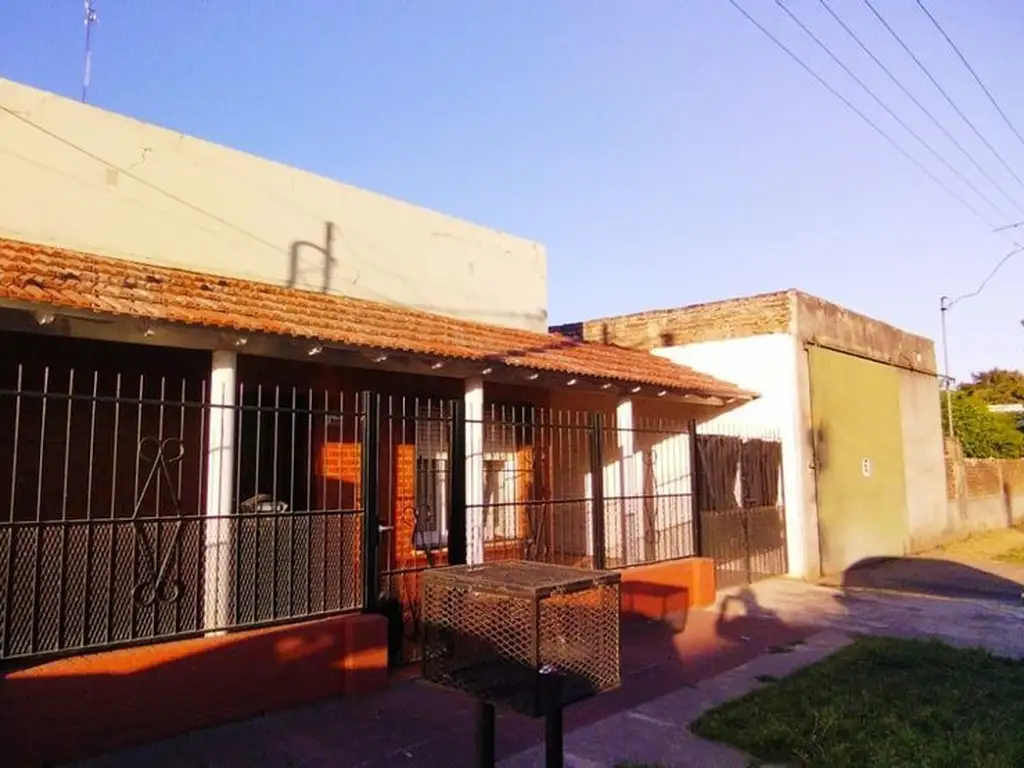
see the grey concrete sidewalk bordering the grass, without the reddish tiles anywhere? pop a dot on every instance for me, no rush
(657, 733)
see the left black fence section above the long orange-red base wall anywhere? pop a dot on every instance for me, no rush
(107, 532)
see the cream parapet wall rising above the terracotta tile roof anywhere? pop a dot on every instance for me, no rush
(77, 177)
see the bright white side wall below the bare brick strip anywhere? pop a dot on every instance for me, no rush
(767, 365)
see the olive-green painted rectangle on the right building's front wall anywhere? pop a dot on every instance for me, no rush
(856, 407)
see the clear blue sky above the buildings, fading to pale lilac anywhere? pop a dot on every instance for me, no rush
(664, 151)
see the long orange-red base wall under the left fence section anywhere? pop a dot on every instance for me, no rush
(92, 704)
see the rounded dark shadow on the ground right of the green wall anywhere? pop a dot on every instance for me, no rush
(922, 576)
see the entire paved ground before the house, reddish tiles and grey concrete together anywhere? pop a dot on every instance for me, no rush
(669, 679)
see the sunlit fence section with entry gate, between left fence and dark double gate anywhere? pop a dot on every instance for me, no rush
(522, 483)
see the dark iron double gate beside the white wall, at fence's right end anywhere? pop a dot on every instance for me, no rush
(741, 506)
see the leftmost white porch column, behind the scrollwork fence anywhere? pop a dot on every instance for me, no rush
(220, 492)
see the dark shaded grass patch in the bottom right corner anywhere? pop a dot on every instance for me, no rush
(884, 703)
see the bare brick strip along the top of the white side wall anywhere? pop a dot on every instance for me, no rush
(733, 319)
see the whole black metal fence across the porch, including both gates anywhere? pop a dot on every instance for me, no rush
(137, 507)
